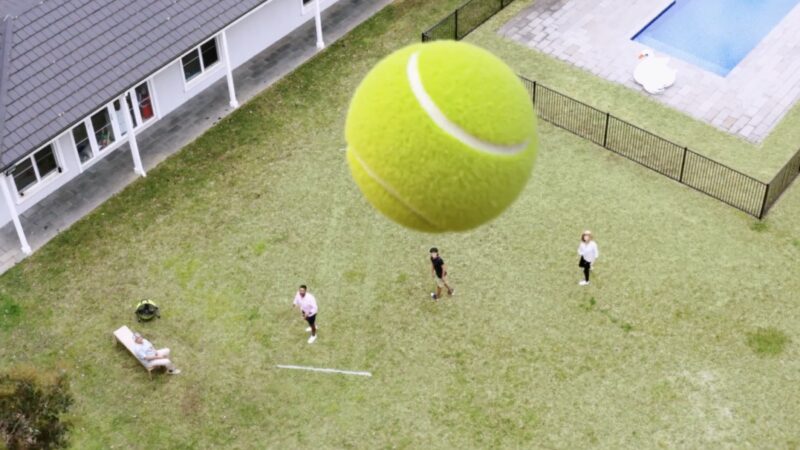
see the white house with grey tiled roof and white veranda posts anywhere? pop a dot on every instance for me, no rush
(80, 78)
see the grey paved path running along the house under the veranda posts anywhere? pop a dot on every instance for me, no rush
(109, 176)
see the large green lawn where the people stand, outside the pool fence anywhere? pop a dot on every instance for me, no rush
(687, 337)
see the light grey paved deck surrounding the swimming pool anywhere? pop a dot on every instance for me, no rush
(596, 36)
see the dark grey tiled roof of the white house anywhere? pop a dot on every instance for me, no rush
(61, 59)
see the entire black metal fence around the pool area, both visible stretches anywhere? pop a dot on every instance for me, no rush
(625, 139)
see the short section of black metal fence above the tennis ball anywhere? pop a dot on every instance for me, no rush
(464, 19)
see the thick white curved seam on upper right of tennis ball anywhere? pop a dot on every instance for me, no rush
(441, 120)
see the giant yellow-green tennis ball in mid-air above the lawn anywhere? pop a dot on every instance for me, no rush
(441, 136)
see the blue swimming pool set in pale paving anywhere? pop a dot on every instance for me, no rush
(713, 34)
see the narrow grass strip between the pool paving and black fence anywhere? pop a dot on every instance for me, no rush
(761, 161)
